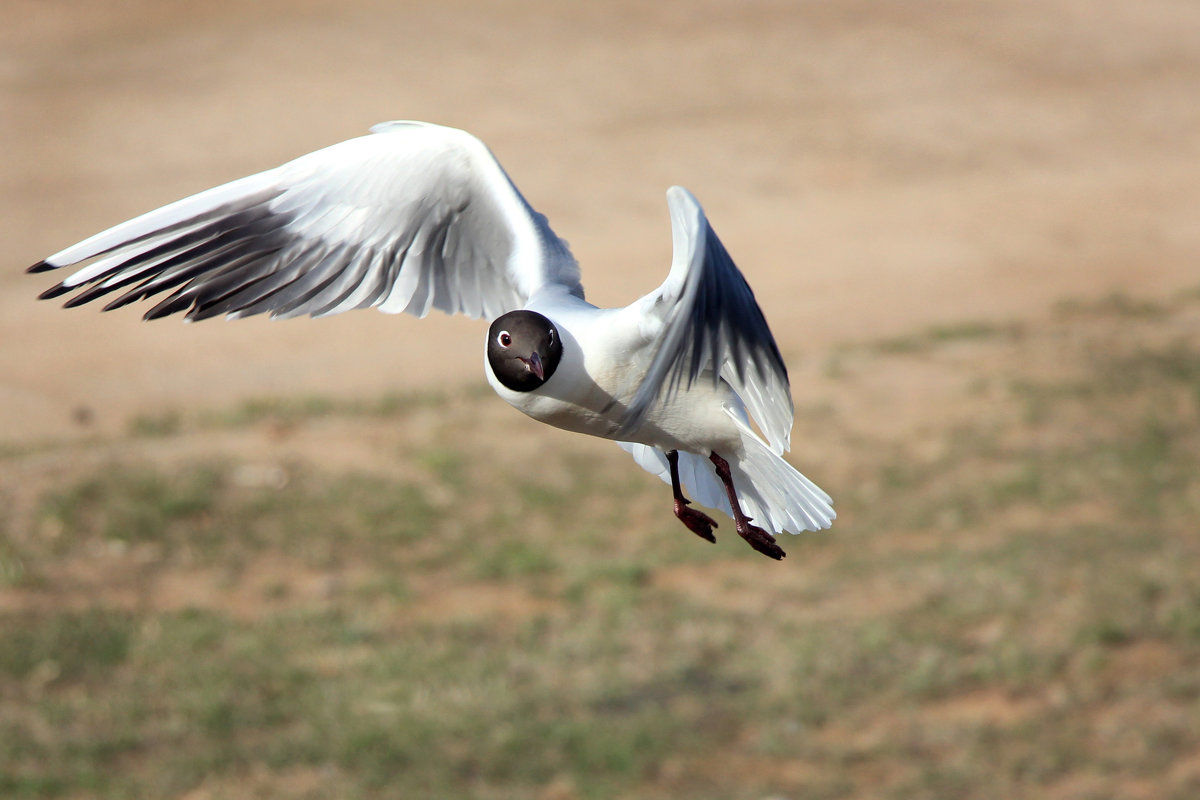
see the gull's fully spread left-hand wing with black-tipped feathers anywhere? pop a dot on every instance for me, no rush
(412, 218)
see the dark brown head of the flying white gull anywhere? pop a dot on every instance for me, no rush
(524, 351)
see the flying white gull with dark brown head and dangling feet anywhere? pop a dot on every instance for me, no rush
(417, 216)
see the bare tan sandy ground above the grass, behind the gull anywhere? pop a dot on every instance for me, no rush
(874, 167)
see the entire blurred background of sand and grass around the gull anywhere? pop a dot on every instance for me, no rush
(295, 561)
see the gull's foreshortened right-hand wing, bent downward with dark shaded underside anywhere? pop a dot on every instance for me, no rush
(707, 323)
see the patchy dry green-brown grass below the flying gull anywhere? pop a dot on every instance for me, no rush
(313, 599)
